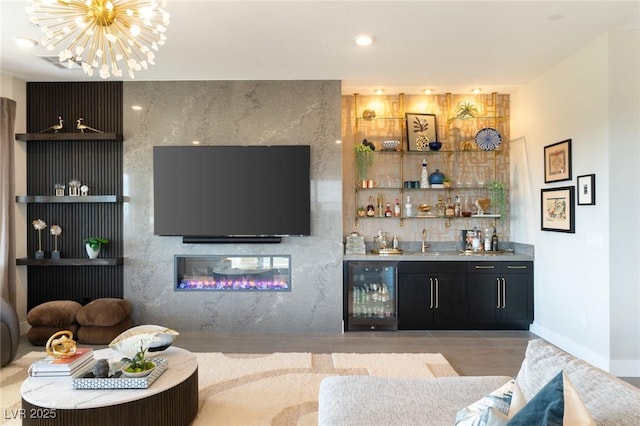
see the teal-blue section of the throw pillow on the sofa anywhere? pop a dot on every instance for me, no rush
(544, 409)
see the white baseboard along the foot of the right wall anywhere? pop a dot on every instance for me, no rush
(620, 368)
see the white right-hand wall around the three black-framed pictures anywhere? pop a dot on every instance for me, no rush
(586, 298)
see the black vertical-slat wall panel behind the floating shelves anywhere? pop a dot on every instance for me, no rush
(96, 163)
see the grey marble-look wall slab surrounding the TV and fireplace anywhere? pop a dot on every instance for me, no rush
(235, 113)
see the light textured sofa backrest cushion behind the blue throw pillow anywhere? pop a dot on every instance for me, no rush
(609, 400)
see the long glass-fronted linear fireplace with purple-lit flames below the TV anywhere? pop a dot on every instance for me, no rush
(232, 273)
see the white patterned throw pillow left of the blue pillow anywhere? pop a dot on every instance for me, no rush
(491, 409)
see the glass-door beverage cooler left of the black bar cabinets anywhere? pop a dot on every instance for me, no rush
(370, 296)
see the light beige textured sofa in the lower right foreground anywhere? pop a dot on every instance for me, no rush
(366, 400)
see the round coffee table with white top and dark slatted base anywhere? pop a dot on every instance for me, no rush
(172, 399)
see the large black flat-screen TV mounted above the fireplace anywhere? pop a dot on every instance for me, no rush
(210, 191)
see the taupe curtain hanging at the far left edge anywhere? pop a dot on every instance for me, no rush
(7, 201)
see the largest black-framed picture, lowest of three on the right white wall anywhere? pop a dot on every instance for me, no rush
(557, 212)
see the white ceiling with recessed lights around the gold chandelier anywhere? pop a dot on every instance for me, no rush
(448, 46)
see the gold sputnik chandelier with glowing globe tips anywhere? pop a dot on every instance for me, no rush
(105, 35)
